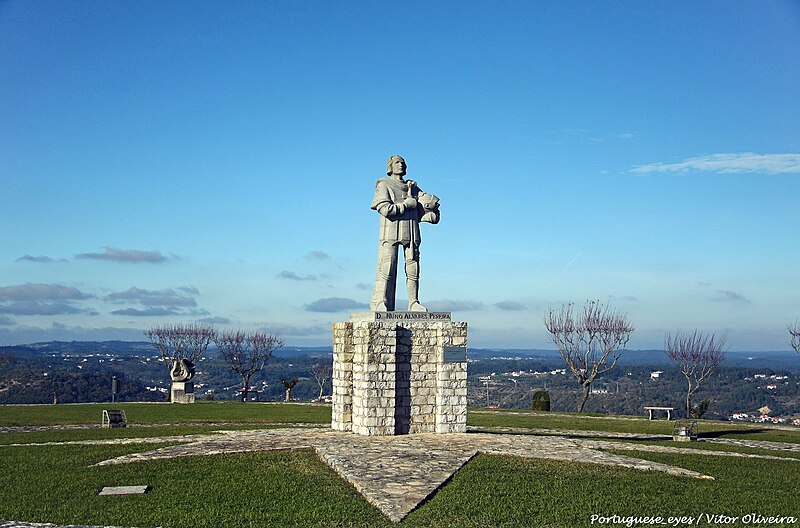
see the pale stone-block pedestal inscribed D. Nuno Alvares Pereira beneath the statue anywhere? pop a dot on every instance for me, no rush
(400, 372)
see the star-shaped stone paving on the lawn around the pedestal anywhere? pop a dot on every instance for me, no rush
(397, 473)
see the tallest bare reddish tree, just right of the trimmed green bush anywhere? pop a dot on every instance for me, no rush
(590, 342)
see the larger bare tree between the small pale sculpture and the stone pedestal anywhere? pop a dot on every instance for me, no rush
(247, 353)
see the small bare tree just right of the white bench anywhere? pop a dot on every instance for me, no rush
(697, 356)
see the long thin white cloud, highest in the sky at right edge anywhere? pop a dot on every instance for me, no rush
(729, 164)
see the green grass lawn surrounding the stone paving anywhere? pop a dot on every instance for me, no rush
(57, 483)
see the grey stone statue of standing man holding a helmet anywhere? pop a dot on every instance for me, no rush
(402, 206)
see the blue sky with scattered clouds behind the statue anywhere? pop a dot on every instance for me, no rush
(215, 161)
